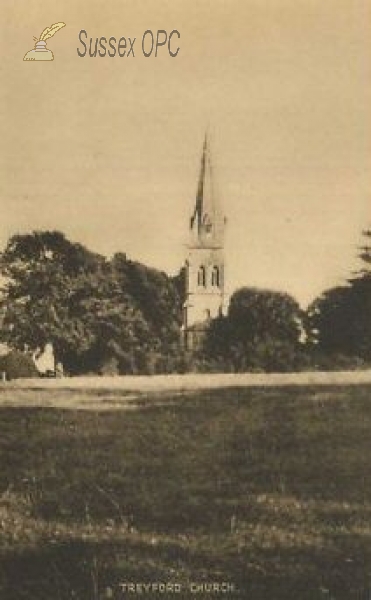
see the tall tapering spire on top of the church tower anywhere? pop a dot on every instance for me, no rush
(207, 222)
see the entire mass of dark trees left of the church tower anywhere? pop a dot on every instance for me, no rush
(99, 315)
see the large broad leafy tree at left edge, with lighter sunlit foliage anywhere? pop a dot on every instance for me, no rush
(57, 291)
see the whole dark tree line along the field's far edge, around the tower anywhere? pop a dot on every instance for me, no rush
(117, 316)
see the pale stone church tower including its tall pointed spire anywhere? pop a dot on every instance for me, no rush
(205, 269)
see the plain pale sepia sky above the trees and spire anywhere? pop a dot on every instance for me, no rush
(108, 150)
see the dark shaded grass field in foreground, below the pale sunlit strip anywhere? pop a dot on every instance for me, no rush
(268, 490)
